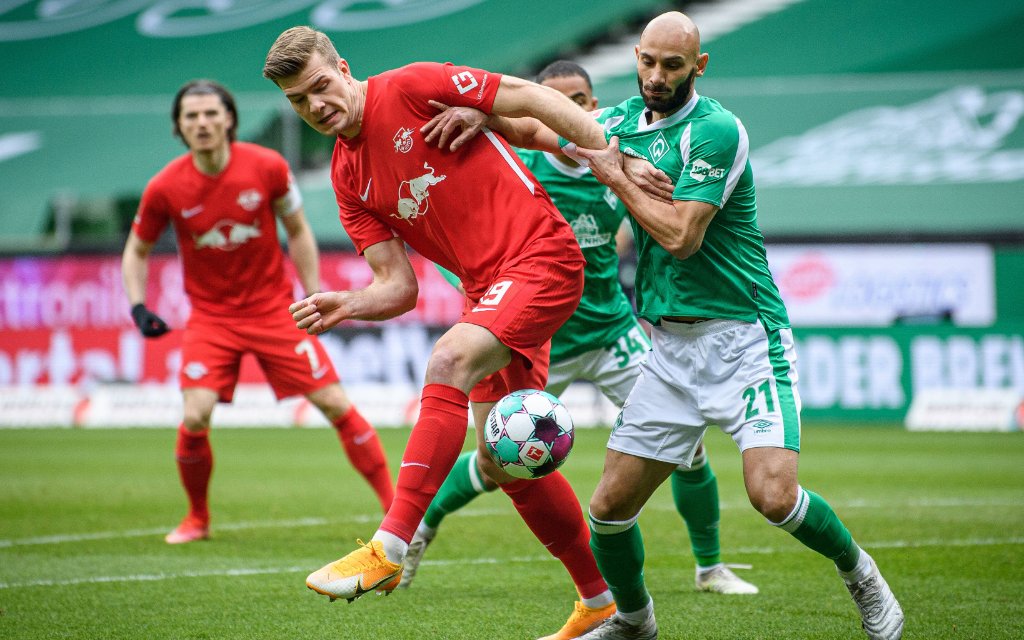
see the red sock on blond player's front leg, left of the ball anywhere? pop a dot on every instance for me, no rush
(434, 447)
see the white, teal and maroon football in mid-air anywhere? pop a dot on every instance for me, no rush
(530, 434)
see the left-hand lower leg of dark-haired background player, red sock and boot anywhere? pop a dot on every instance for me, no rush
(195, 462)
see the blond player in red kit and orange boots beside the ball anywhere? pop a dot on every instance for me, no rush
(482, 216)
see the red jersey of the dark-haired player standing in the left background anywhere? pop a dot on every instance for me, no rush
(227, 230)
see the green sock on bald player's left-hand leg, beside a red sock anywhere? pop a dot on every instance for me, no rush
(619, 550)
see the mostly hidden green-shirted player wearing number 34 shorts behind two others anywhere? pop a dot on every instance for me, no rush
(605, 318)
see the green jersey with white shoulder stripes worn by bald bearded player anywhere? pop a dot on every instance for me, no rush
(704, 150)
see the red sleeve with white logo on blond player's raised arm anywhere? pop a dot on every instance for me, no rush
(452, 84)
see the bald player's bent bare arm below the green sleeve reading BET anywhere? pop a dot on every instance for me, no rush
(679, 227)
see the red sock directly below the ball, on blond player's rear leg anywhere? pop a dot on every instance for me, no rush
(552, 511)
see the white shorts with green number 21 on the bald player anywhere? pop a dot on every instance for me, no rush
(737, 375)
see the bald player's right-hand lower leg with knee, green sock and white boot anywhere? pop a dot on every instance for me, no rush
(771, 477)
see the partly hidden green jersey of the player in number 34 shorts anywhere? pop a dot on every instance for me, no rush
(595, 215)
